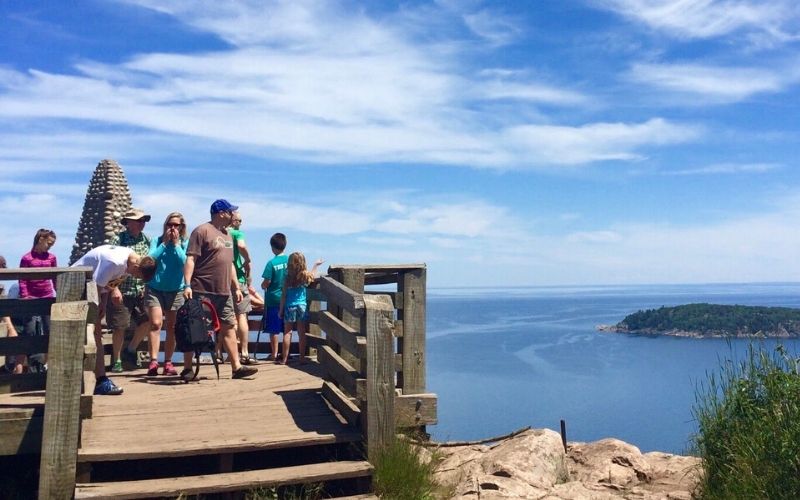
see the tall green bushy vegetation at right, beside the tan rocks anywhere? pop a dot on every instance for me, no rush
(749, 429)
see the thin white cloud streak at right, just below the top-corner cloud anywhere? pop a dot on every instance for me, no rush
(720, 84)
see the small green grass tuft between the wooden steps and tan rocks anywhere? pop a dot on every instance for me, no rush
(401, 474)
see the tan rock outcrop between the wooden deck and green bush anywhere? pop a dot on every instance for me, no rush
(533, 465)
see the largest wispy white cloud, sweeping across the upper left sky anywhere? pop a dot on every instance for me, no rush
(304, 81)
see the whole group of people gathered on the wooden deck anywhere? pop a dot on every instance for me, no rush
(142, 282)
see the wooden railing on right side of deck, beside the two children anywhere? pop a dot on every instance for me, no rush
(372, 346)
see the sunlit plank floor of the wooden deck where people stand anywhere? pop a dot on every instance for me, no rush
(280, 407)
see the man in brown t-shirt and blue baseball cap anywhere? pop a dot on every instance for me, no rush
(209, 273)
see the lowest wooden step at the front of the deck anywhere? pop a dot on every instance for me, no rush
(224, 482)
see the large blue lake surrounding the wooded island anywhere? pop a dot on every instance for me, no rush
(501, 359)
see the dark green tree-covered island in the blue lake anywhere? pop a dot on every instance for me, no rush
(712, 320)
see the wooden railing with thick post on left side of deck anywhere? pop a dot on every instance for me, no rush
(68, 382)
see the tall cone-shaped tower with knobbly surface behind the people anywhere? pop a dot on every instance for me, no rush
(107, 199)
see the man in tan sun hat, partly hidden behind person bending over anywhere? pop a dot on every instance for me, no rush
(131, 313)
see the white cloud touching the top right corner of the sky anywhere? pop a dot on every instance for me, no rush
(689, 19)
